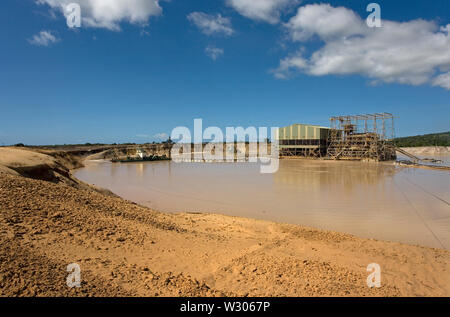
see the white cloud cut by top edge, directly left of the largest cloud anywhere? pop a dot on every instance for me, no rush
(262, 10)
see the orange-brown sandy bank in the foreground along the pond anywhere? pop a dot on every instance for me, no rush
(126, 249)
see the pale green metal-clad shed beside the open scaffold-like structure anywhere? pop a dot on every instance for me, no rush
(303, 140)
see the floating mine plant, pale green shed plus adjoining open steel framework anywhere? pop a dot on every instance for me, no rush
(356, 137)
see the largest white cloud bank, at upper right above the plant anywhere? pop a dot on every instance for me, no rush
(414, 52)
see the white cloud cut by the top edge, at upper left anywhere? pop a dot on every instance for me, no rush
(110, 13)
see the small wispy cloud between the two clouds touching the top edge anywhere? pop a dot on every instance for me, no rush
(211, 24)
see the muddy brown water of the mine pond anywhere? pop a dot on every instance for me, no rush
(371, 200)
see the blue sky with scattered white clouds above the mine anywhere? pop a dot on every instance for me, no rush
(138, 69)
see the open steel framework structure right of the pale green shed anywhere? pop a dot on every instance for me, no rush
(362, 137)
